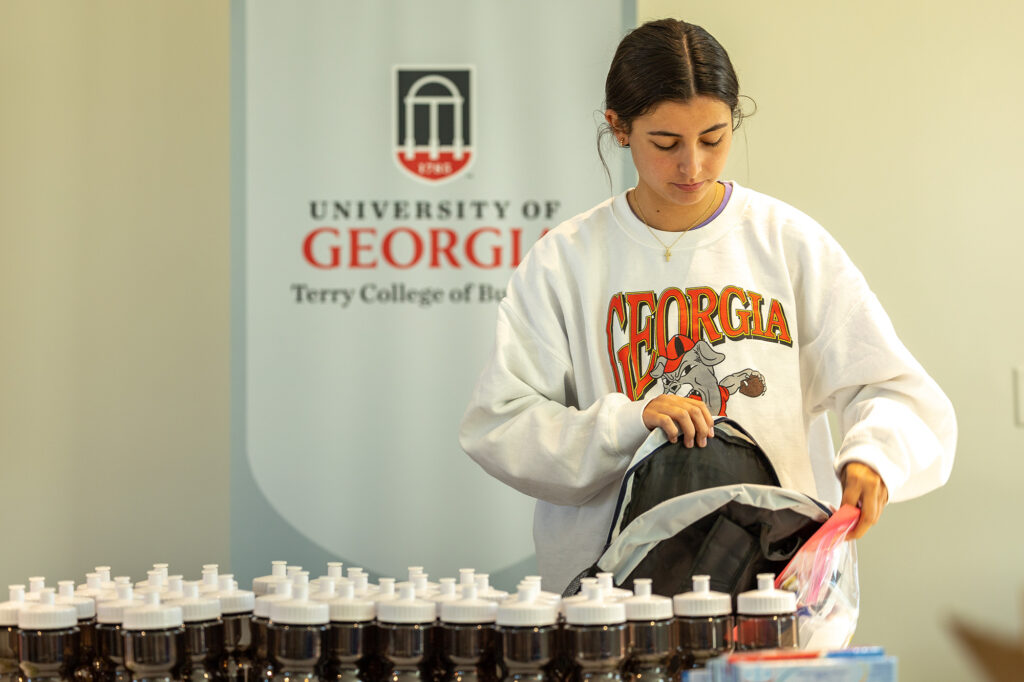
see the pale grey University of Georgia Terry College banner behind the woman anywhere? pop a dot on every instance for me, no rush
(395, 162)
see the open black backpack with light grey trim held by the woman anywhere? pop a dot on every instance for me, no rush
(717, 510)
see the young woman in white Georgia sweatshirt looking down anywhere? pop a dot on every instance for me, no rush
(685, 299)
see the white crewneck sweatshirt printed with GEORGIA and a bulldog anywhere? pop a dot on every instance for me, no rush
(759, 313)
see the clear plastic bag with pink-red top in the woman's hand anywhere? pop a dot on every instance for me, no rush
(824, 574)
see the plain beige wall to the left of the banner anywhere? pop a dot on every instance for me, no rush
(114, 287)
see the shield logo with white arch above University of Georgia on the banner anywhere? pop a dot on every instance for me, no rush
(434, 121)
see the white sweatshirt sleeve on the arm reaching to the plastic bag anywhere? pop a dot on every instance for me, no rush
(892, 414)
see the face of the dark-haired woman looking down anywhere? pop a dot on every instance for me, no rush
(679, 151)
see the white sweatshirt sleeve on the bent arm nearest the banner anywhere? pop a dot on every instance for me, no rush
(524, 425)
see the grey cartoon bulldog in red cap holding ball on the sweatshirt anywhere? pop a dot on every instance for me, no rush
(694, 364)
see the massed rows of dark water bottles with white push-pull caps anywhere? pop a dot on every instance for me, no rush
(344, 628)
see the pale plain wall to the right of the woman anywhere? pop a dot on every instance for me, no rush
(895, 125)
